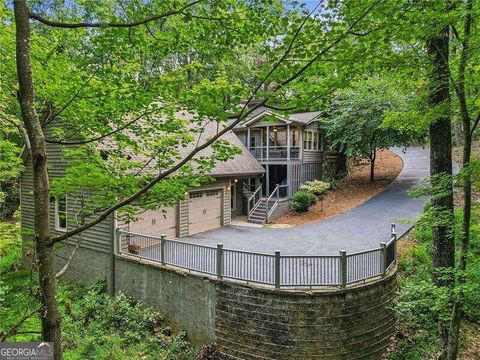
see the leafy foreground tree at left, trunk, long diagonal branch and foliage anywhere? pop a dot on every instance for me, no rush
(176, 55)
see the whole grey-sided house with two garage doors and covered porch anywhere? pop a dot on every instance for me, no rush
(279, 153)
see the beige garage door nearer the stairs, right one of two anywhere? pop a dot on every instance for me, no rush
(204, 210)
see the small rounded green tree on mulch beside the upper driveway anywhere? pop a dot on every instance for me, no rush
(355, 120)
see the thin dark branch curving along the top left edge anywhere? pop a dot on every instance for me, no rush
(54, 23)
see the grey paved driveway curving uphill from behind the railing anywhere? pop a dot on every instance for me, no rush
(361, 228)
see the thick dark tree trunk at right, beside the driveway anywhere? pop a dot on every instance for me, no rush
(443, 256)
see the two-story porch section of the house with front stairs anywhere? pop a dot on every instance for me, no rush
(290, 149)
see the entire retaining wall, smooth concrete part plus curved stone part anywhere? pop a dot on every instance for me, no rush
(253, 322)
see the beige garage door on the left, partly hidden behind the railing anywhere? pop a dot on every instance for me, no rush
(156, 223)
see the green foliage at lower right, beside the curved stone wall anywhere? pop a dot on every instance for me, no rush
(420, 304)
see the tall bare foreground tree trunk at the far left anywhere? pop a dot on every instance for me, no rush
(49, 312)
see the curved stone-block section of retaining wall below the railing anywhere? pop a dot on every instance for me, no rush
(252, 323)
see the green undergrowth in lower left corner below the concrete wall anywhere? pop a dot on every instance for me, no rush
(95, 325)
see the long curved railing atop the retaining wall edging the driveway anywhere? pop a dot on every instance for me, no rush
(272, 269)
